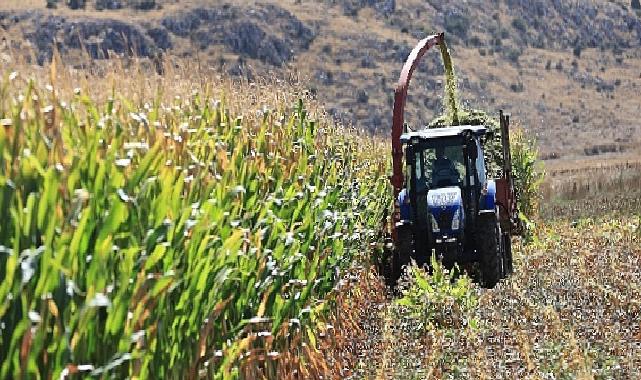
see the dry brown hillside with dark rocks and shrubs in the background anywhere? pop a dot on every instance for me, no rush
(569, 71)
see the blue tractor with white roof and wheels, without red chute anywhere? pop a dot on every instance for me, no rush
(449, 206)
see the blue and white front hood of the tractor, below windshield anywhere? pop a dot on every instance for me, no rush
(445, 207)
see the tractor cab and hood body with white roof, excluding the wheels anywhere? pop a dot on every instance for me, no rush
(445, 184)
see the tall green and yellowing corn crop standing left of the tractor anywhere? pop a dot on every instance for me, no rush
(173, 239)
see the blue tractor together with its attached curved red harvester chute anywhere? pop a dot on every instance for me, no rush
(445, 204)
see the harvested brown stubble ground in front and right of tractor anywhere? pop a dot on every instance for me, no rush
(571, 310)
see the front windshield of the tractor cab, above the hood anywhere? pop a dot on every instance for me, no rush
(441, 166)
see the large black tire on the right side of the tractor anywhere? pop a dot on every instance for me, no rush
(490, 242)
